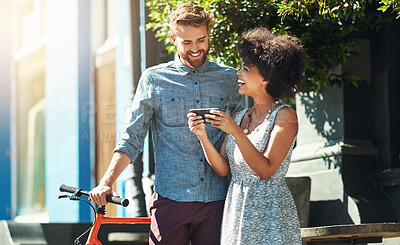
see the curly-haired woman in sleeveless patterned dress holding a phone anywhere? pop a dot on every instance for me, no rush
(259, 208)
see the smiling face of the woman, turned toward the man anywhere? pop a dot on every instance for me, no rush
(250, 80)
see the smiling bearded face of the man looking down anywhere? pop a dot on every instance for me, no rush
(192, 44)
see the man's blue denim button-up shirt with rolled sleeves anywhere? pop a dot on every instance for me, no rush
(164, 96)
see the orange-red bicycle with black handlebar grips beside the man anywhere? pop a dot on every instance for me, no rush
(100, 217)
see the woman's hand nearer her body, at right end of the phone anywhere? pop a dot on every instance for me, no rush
(222, 121)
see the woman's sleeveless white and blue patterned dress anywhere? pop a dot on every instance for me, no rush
(258, 211)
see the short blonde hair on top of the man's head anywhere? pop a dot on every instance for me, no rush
(190, 14)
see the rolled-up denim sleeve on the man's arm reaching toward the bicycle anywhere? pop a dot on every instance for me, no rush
(142, 109)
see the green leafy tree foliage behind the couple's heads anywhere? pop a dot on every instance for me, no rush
(325, 28)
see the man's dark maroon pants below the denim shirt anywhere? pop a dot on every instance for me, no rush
(178, 223)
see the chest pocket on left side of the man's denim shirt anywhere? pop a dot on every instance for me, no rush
(173, 111)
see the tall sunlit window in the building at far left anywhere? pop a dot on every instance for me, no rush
(30, 106)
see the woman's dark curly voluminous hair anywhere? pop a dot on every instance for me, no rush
(279, 58)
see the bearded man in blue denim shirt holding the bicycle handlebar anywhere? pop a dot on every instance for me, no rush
(189, 196)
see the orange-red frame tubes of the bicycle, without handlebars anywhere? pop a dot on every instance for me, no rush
(101, 219)
